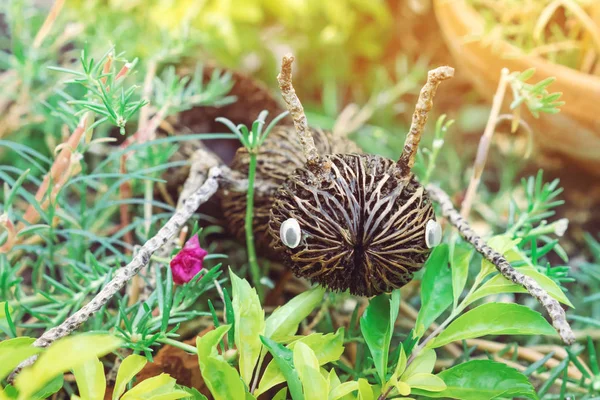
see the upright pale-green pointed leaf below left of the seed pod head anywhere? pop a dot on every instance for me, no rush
(250, 323)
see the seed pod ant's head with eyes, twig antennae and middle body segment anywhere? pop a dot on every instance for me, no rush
(362, 219)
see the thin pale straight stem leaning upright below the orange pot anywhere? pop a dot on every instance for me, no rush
(484, 145)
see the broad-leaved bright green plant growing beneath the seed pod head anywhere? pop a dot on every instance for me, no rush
(401, 372)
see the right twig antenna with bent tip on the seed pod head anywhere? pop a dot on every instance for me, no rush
(424, 104)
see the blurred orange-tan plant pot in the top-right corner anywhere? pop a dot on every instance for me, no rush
(574, 133)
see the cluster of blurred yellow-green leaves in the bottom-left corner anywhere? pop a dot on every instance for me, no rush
(79, 355)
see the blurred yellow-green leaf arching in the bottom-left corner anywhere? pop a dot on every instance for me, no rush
(63, 355)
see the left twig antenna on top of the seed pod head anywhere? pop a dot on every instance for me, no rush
(296, 110)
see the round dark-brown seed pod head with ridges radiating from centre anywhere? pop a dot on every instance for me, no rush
(363, 223)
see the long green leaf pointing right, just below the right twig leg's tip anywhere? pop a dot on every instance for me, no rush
(494, 319)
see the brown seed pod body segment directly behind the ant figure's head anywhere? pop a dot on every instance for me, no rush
(279, 156)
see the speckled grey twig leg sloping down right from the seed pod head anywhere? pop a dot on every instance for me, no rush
(554, 309)
